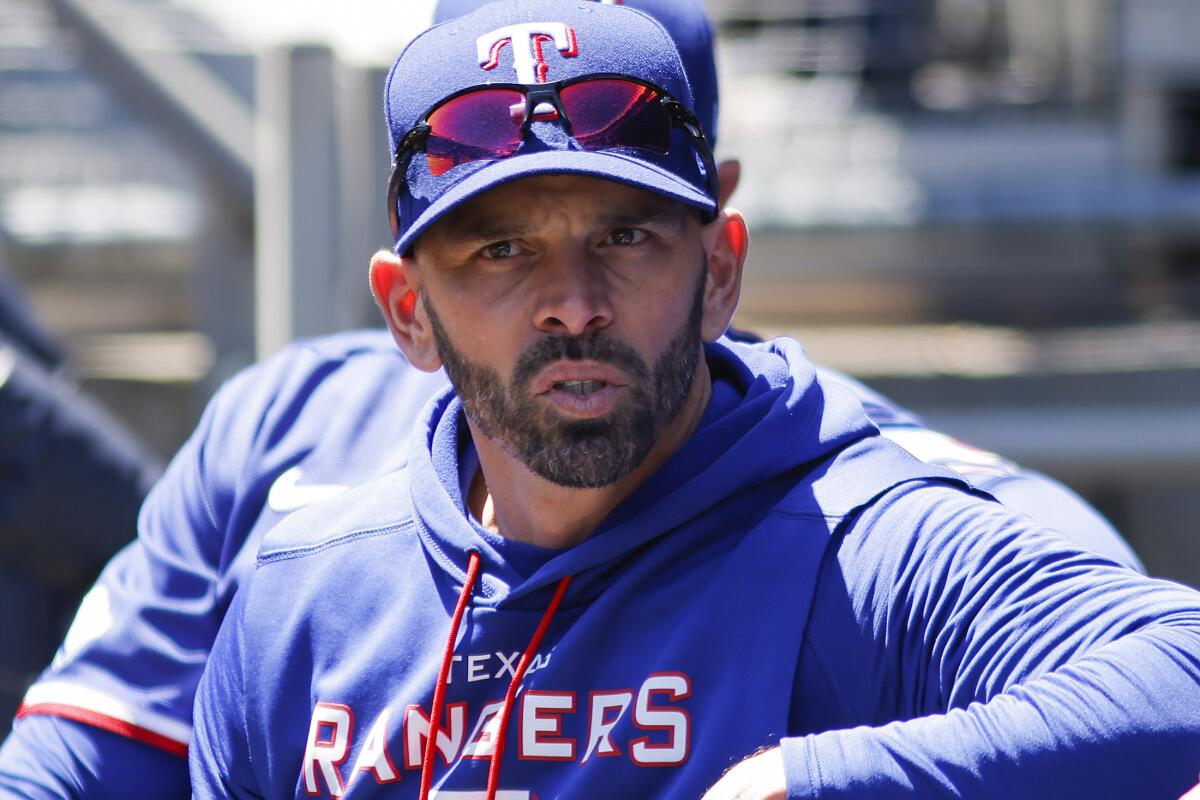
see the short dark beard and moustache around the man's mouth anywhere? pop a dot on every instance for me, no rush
(578, 454)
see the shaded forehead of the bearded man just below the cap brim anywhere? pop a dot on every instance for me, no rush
(542, 202)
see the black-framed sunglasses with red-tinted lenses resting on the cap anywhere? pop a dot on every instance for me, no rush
(489, 123)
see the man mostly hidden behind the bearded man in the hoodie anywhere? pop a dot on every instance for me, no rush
(301, 428)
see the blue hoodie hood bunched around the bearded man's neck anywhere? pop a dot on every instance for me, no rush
(782, 419)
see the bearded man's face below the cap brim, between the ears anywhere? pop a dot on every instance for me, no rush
(568, 312)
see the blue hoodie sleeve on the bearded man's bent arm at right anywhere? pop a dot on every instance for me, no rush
(956, 651)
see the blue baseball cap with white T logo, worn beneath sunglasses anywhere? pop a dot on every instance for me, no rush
(532, 43)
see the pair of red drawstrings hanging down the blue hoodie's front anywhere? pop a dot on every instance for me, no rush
(440, 689)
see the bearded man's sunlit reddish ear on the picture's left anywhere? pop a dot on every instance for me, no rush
(397, 290)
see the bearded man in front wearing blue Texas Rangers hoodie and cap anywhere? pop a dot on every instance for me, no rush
(622, 542)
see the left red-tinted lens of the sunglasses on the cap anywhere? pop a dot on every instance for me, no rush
(482, 125)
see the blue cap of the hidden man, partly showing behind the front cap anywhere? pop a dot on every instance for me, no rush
(689, 27)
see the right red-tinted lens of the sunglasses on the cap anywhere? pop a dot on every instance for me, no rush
(613, 113)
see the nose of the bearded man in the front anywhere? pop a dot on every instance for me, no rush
(574, 297)
